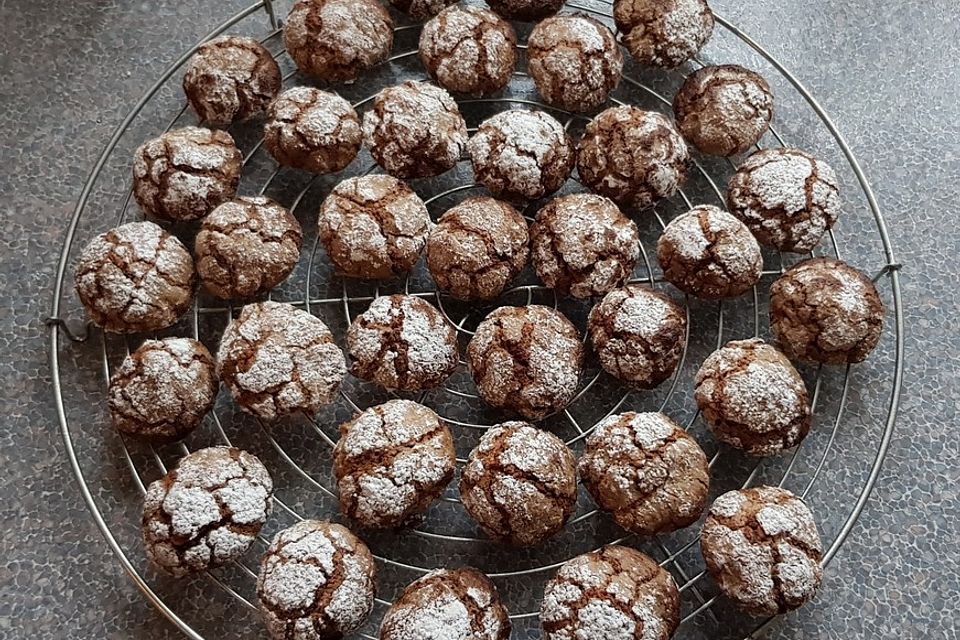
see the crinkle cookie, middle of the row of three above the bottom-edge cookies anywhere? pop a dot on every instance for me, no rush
(519, 484)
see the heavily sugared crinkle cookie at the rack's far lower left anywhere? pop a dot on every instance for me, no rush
(207, 511)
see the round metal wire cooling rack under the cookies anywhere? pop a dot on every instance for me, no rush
(834, 469)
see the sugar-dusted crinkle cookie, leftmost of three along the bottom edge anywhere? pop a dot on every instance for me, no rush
(317, 582)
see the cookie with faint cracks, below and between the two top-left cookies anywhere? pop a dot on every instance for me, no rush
(312, 130)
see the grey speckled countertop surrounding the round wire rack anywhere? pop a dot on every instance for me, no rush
(887, 73)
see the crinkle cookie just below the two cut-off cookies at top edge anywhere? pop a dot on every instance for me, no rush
(469, 50)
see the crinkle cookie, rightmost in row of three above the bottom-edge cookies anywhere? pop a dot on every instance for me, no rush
(646, 470)
